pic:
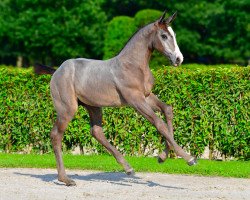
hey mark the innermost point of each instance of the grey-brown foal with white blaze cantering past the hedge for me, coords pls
(124, 80)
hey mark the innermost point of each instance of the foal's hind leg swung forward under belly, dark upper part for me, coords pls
(95, 114)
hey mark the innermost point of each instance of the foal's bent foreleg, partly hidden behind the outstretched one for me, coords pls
(158, 105)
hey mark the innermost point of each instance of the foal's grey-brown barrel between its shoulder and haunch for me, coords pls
(95, 86)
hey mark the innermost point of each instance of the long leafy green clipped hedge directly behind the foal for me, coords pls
(211, 108)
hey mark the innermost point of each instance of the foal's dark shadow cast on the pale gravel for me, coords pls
(116, 178)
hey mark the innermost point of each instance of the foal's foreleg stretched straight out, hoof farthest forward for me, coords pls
(138, 101)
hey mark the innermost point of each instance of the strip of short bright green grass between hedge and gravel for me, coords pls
(239, 169)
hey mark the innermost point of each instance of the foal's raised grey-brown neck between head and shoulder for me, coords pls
(137, 52)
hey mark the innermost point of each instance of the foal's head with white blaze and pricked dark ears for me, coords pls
(165, 40)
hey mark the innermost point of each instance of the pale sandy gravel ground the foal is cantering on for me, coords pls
(42, 184)
